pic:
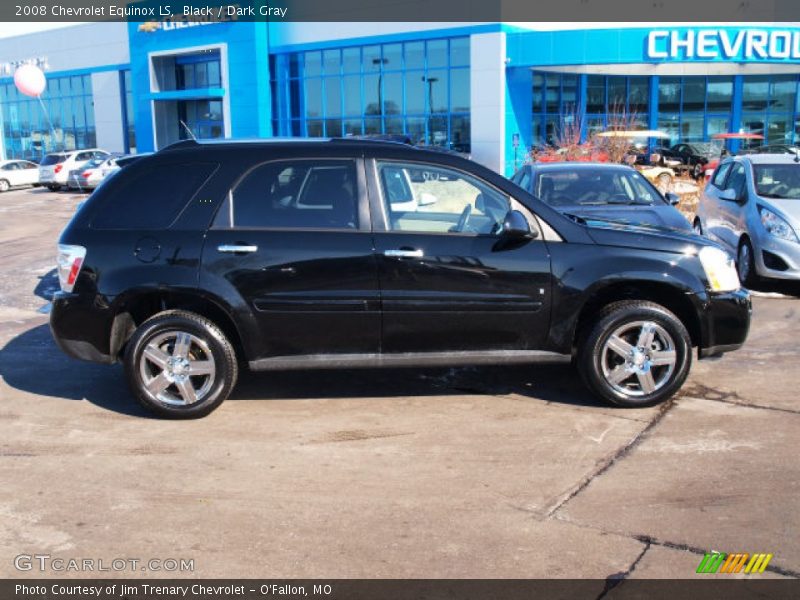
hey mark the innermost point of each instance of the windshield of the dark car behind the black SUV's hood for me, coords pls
(595, 187)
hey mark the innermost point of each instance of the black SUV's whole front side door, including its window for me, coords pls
(449, 281)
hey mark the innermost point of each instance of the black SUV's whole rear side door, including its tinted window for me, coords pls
(291, 246)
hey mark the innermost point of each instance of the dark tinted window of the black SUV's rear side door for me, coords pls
(298, 194)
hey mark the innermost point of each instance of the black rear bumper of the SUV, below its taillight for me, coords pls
(81, 328)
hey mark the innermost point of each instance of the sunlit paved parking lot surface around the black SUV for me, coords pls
(471, 472)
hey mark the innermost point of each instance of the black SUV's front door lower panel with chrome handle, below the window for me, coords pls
(463, 293)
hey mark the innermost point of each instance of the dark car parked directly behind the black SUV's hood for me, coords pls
(601, 191)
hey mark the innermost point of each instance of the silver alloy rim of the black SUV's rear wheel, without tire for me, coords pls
(177, 368)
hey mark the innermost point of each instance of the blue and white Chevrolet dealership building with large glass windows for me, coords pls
(491, 89)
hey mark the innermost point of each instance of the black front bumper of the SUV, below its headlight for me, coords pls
(725, 322)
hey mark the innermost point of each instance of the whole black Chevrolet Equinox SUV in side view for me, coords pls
(206, 257)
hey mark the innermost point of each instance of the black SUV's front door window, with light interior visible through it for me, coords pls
(433, 199)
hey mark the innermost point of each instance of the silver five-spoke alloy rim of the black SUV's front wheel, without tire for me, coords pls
(638, 358)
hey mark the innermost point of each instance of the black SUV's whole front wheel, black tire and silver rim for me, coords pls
(595, 354)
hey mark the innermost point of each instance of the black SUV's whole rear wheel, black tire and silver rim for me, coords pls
(206, 338)
